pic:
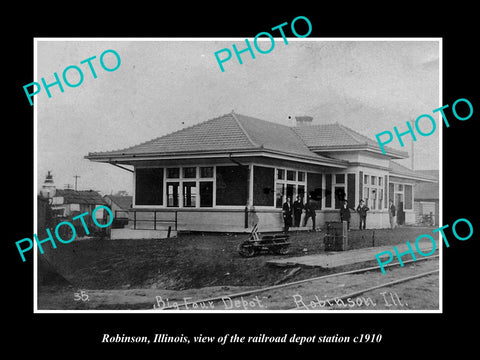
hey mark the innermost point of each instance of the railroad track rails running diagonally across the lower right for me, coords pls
(220, 299)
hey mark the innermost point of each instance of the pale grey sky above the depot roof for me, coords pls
(164, 85)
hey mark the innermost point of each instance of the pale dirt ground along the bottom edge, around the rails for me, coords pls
(418, 294)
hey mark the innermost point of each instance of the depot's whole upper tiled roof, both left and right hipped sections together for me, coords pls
(235, 132)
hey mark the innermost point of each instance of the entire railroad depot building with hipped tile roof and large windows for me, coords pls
(231, 172)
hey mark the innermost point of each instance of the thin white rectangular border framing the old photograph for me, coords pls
(340, 39)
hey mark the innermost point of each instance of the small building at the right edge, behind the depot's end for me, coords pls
(427, 203)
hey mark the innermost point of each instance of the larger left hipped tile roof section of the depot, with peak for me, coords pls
(230, 132)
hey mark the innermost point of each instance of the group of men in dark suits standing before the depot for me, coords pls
(294, 212)
